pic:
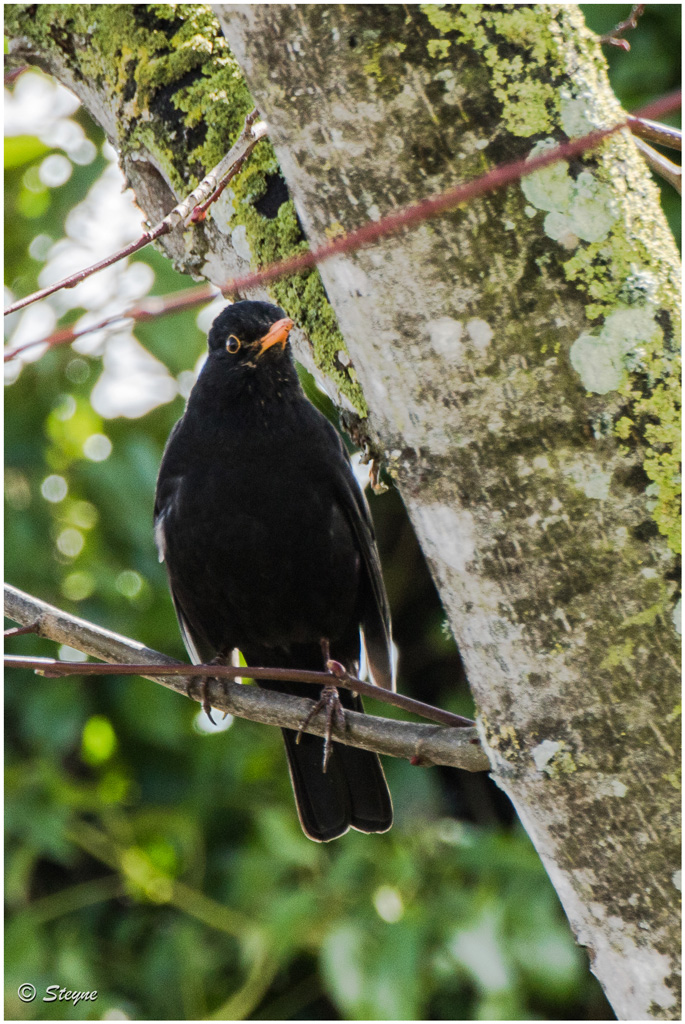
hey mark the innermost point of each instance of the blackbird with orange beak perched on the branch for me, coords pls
(271, 550)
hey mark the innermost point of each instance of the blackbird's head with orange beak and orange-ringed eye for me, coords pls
(249, 332)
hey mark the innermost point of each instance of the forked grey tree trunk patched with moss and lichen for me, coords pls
(518, 358)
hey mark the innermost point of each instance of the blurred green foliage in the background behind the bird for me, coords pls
(164, 866)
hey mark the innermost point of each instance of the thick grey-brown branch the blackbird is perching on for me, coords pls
(422, 744)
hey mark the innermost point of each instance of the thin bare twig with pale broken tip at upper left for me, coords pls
(205, 193)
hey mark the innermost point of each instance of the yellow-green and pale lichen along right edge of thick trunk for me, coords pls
(611, 237)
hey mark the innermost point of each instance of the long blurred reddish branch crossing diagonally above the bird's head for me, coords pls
(408, 218)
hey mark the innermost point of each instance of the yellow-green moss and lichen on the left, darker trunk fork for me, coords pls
(175, 100)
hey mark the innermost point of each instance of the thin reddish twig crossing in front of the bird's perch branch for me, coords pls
(52, 668)
